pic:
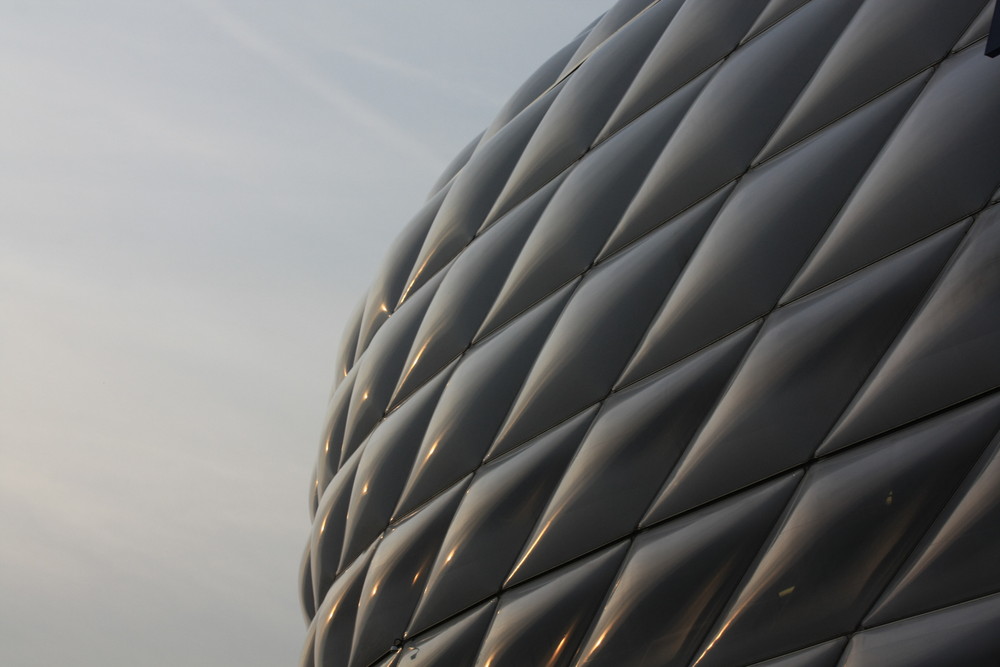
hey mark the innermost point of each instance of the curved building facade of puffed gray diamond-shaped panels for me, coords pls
(691, 358)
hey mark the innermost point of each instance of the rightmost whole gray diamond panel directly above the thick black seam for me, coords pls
(809, 360)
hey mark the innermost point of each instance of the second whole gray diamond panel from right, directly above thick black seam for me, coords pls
(638, 436)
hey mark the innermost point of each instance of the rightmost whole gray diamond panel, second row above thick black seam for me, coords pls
(765, 232)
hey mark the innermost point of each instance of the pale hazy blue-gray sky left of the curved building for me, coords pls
(195, 194)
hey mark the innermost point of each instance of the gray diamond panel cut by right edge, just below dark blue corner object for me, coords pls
(940, 166)
